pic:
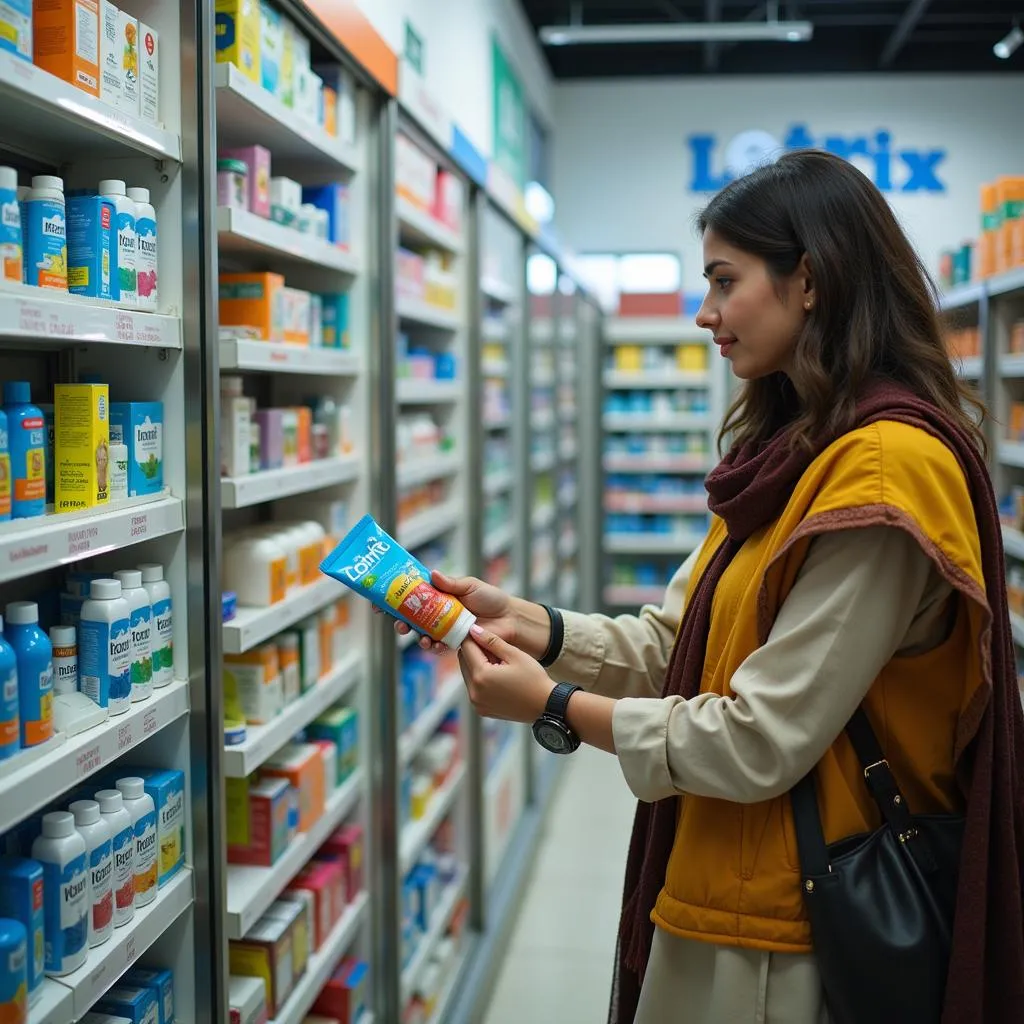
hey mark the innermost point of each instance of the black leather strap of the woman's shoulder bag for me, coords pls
(882, 786)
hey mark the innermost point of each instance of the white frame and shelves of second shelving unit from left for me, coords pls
(328, 490)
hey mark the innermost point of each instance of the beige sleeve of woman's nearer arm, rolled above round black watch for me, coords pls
(862, 596)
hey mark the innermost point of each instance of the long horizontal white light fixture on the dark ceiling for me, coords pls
(680, 32)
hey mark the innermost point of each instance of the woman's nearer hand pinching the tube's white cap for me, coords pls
(503, 681)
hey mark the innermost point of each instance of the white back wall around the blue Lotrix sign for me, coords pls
(623, 166)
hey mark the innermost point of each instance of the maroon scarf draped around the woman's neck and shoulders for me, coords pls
(749, 490)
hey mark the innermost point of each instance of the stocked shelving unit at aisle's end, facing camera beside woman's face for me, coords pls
(663, 404)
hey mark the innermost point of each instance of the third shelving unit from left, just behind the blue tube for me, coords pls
(434, 496)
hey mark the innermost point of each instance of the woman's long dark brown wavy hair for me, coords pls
(875, 306)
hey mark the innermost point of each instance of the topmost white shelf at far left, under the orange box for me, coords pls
(50, 112)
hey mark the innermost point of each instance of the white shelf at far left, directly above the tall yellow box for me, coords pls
(49, 318)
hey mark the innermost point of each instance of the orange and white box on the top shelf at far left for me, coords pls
(66, 41)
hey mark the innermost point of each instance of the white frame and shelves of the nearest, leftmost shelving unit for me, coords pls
(47, 338)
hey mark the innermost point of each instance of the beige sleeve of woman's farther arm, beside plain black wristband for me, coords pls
(627, 656)
